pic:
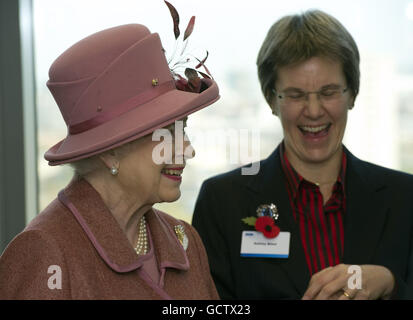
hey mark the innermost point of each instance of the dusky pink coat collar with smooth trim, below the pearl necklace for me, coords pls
(109, 240)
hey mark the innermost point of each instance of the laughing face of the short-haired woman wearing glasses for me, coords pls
(313, 127)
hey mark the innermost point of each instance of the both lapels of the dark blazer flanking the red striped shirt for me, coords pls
(364, 217)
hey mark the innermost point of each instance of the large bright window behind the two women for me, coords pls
(379, 127)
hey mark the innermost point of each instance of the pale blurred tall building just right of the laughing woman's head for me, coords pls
(373, 125)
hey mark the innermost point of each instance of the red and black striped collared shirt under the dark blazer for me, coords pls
(321, 226)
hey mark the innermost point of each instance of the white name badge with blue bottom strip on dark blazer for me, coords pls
(255, 245)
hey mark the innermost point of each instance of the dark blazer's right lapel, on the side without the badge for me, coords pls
(365, 215)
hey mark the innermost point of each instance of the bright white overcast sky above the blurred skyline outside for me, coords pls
(231, 30)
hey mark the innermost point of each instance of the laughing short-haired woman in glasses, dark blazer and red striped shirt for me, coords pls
(316, 209)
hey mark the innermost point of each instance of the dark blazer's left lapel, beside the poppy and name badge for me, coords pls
(269, 187)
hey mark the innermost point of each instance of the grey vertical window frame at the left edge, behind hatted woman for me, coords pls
(18, 135)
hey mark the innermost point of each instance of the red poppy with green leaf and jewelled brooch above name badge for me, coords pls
(267, 214)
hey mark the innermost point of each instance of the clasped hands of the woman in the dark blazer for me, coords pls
(377, 282)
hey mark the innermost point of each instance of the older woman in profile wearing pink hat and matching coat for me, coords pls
(101, 238)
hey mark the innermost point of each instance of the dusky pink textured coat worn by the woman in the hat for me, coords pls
(83, 253)
